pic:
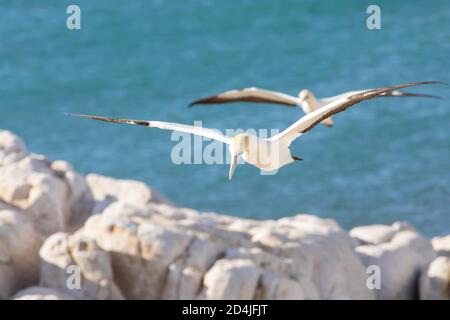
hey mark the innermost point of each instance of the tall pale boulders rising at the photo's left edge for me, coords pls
(33, 204)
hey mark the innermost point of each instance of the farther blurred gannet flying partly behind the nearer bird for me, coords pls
(305, 100)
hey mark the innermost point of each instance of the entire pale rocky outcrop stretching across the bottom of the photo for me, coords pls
(66, 236)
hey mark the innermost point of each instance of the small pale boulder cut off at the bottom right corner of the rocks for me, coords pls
(435, 281)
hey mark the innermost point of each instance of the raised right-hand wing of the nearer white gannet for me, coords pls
(340, 104)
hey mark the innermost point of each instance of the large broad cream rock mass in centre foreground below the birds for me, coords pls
(164, 252)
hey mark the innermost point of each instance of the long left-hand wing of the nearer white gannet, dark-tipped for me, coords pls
(205, 132)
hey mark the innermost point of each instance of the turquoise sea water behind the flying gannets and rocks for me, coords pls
(383, 161)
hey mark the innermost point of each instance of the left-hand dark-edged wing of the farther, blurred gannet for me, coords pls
(249, 95)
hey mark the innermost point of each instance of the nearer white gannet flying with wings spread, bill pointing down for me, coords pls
(272, 153)
